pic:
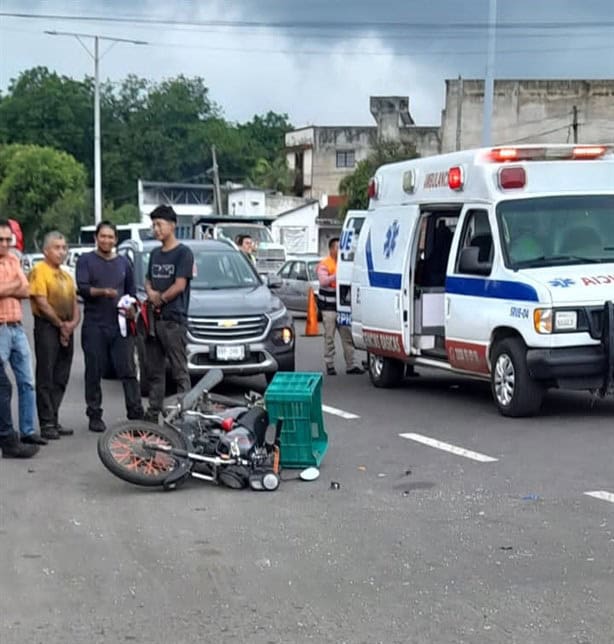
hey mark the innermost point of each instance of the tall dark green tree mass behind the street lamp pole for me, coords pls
(156, 131)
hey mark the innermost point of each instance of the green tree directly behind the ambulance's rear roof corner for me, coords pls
(354, 186)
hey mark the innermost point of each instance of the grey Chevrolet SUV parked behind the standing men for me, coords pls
(235, 322)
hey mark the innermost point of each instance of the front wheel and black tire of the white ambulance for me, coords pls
(515, 393)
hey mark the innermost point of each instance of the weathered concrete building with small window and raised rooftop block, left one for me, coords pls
(323, 155)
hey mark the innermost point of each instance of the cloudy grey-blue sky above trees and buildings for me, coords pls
(316, 60)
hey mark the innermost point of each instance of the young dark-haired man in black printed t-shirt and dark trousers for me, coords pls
(168, 290)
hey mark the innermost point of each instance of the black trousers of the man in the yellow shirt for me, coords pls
(53, 363)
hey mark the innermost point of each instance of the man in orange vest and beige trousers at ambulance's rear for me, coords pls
(327, 303)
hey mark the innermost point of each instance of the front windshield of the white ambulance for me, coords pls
(554, 231)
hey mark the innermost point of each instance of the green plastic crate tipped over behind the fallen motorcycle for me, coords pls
(296, 399)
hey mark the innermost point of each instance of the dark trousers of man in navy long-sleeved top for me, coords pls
(101, 346)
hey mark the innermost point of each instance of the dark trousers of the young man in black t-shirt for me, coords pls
(169, 343)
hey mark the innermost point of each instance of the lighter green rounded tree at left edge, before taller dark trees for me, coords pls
(34, 180)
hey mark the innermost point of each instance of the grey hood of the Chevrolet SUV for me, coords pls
(254, 300)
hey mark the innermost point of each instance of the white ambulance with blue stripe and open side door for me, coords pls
(494, 263)
